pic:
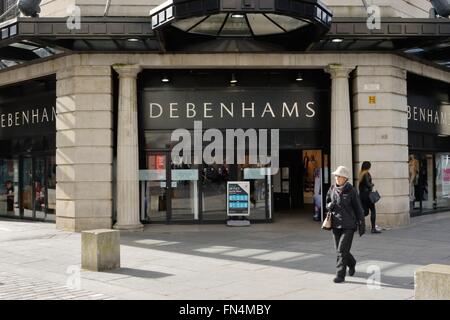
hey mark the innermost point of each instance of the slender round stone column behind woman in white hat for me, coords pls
(341, 125)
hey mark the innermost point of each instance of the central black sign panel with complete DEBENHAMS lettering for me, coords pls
(234, 109)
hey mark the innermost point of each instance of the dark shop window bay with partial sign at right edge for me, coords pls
(429, 144)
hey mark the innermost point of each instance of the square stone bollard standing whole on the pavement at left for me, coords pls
(100, 249)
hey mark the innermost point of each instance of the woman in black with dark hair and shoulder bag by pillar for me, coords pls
(365, 188)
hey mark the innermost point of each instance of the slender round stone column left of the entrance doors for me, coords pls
(127, 150)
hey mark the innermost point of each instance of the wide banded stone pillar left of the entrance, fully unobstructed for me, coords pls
(84, 148)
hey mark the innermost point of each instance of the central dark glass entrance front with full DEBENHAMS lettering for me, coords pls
(267, 105)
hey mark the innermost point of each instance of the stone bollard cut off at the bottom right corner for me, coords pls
(432, 282)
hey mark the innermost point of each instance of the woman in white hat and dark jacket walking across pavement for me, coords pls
(346, 216)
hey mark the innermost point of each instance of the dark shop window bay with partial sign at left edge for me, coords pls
(28, 147)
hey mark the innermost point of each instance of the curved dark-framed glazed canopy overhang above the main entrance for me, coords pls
(272, 21)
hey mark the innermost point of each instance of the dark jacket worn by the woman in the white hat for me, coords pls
(345, 207)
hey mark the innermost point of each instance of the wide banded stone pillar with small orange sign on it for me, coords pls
(381, 137)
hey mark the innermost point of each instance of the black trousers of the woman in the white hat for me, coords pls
(343, 239)
